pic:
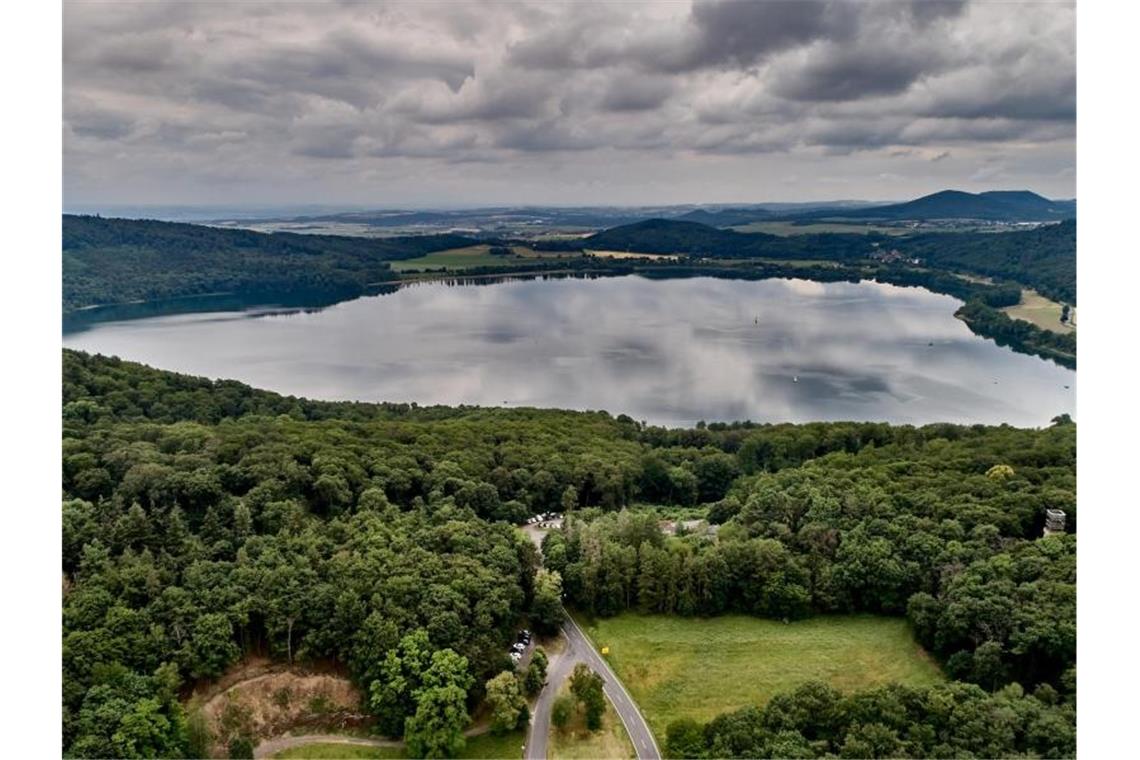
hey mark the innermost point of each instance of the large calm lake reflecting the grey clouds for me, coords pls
(671, 353)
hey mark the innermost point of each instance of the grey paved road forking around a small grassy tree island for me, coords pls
(580, 650)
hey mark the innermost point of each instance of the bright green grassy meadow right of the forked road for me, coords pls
(689, 668)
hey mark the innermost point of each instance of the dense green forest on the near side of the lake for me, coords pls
(203, 520)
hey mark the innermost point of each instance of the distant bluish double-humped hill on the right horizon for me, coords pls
(996, 206)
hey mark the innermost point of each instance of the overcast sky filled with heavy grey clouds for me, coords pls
(469, 104)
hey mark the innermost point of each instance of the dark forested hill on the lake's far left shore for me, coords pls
(115, 261)
